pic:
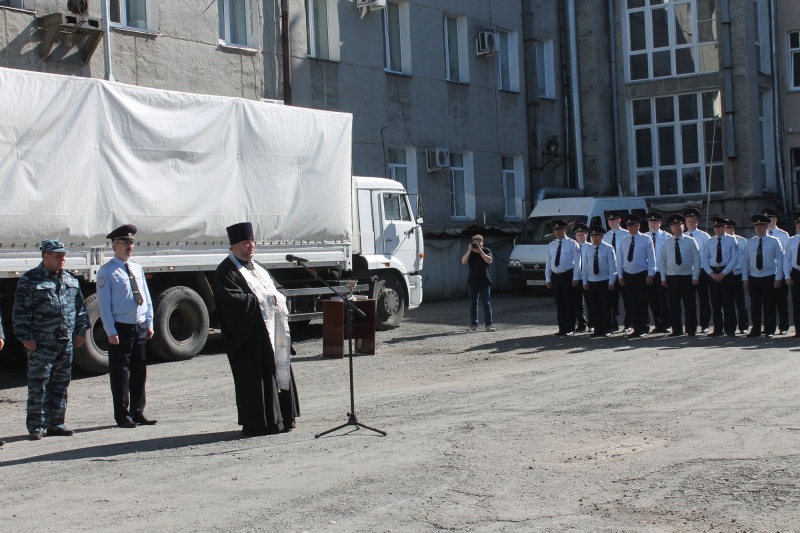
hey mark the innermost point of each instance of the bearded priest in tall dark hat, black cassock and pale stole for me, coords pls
(255, 327)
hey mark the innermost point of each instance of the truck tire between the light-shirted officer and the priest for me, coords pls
(180, 324)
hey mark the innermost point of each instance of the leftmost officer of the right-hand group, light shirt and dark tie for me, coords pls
(563, 255)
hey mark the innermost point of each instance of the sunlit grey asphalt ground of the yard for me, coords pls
(516, 430)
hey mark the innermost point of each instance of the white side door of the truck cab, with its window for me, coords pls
(399, 229)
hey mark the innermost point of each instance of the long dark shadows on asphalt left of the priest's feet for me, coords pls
(124, 448)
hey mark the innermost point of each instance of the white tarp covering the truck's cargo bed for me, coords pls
(79, 157)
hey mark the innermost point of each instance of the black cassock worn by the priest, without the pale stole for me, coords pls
(247, 343)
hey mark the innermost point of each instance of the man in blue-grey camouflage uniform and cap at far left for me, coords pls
(49, 318)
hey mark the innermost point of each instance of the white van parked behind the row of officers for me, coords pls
(528, 258)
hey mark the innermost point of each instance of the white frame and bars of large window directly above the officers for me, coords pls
(680, 166)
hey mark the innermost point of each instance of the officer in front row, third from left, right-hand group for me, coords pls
(636, 266)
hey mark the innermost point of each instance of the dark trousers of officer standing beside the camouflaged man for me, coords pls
(127, 369)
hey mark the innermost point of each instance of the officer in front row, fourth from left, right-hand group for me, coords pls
(680, 266)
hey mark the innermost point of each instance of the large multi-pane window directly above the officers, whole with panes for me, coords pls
(677, 144)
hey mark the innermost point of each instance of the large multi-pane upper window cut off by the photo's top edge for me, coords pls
(666, 39)
